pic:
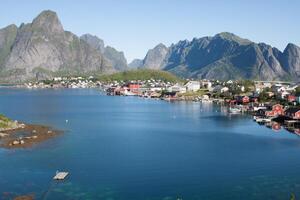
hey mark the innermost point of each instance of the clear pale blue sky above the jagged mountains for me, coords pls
(135, 26)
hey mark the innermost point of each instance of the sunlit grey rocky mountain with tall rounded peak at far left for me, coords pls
(42, 48)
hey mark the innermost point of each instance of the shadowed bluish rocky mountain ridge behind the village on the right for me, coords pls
(227, 56)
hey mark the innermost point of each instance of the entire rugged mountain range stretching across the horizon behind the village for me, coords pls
(43, 49)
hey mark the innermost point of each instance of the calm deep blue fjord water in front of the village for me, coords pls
(133, 148)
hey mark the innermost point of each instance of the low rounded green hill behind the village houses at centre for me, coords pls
(140, 74)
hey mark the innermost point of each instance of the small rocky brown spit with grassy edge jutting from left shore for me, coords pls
(14, 134)
